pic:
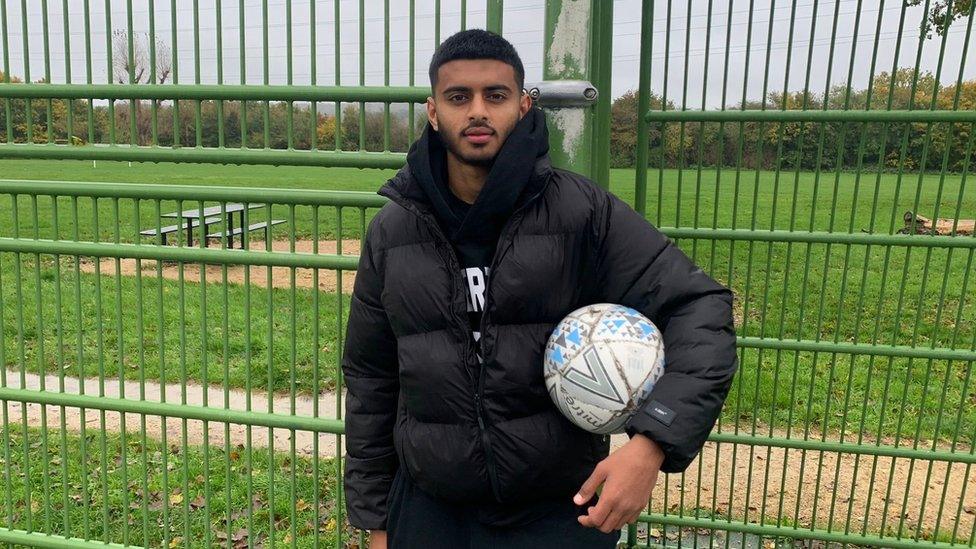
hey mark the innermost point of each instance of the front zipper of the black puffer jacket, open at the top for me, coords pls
(469, 347)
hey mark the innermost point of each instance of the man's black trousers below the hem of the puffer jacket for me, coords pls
(417, 520)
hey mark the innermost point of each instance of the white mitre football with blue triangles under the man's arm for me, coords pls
(601, 363)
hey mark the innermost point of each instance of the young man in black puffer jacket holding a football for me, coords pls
(484, 247)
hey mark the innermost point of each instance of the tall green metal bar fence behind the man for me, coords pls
(188, 395)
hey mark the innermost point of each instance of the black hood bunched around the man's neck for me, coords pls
(518, 173)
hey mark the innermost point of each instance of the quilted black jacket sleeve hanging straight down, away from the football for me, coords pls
(369, 364)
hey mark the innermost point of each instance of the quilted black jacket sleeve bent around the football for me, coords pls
(639, 267)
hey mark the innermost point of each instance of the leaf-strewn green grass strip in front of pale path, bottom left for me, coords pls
(129, 490)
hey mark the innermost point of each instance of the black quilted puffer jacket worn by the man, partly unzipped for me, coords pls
(472, 432)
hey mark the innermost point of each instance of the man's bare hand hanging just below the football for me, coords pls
(628, 475)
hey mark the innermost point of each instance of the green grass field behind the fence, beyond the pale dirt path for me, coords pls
(852, 294)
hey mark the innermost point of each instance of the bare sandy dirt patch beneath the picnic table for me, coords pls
(280, 276)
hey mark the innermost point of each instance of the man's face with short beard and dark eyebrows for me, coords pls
(475, 106)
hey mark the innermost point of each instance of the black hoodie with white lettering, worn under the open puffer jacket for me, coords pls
(473, 229)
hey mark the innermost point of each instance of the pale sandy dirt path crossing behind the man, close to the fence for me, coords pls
(727, 482)
